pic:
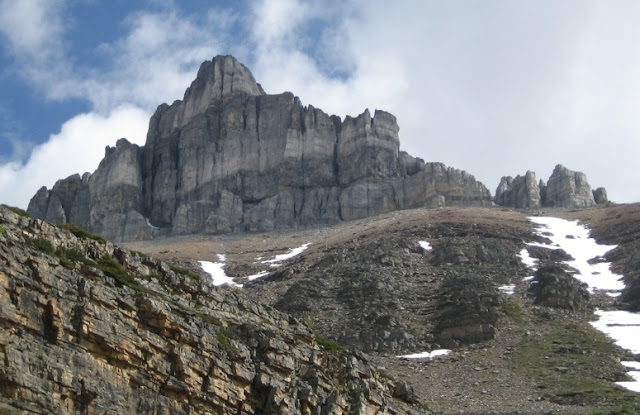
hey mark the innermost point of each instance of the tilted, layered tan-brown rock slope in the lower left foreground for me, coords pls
(89, 328)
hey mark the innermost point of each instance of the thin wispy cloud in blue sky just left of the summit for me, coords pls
(154, 62)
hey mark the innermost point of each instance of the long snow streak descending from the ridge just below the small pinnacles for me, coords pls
(574, 239)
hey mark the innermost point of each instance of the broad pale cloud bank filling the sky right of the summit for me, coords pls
(495, 89)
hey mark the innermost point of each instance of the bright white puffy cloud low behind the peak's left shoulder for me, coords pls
(77, 148)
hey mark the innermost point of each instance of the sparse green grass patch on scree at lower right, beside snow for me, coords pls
(571, 365)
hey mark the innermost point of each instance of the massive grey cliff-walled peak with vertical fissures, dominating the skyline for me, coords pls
(229, 157)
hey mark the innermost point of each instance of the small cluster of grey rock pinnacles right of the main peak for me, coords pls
(565, 188)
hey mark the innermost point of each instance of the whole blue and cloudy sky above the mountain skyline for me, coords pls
(493, 87)
